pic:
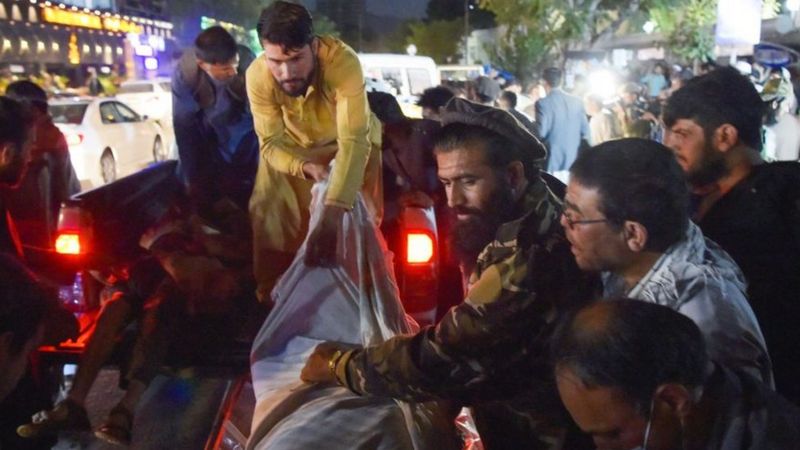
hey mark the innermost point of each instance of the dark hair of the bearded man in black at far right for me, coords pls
(716, 98)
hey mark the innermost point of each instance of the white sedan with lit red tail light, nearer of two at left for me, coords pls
(107, 139)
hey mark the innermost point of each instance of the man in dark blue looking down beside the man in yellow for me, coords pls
(217, 145)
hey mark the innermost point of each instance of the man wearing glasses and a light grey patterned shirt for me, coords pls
(626, 216)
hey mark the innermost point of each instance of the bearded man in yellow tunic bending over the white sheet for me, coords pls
(309, 107)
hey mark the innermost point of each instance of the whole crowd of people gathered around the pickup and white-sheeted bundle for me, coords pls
(647, 301)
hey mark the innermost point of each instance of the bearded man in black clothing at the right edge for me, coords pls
(752, 209)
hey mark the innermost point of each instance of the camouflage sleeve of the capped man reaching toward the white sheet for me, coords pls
(474, 340)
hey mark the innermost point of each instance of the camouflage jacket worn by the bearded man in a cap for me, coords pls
(490, 352)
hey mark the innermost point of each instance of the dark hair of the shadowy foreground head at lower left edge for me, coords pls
(25, 302)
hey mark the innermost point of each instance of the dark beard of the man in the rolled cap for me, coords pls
(470, 236)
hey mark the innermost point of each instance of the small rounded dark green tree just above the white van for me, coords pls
(439, 39)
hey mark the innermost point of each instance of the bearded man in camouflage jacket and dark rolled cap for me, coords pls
(489, 352)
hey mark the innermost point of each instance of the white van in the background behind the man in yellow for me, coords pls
(403, 76)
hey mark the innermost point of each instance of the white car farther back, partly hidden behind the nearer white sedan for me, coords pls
(152, 98)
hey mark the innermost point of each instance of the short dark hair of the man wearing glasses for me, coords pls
(639, 180)
